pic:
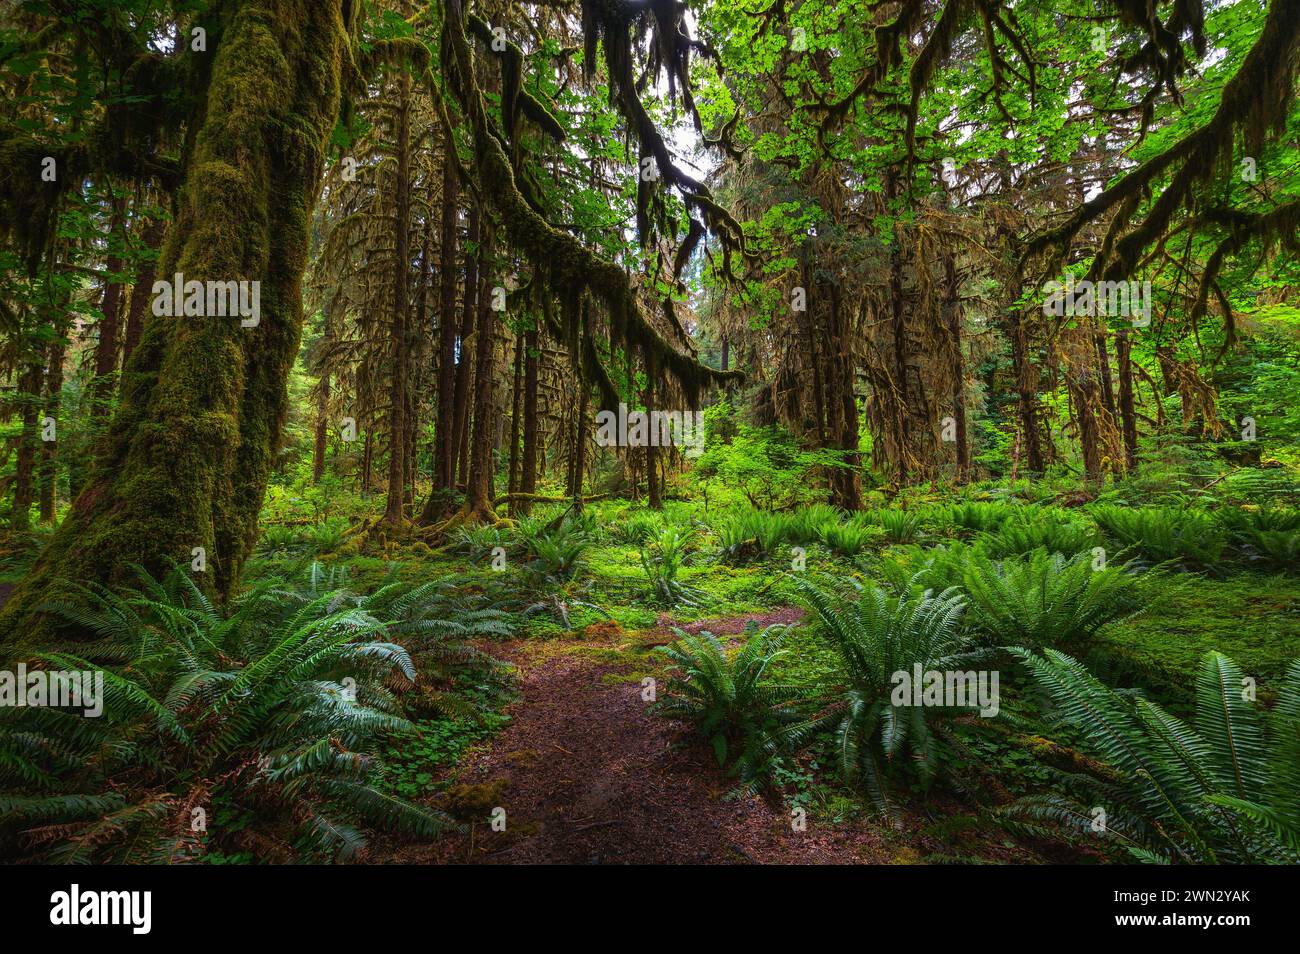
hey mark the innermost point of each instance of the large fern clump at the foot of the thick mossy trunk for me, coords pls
(272, 713)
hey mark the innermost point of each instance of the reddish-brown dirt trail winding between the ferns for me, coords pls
(587, 775)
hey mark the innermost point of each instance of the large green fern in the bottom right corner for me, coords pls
(1224, 790)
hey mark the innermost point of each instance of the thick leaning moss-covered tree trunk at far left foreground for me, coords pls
(187, 461)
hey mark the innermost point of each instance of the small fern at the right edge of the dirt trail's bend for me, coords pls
(727, 699)
